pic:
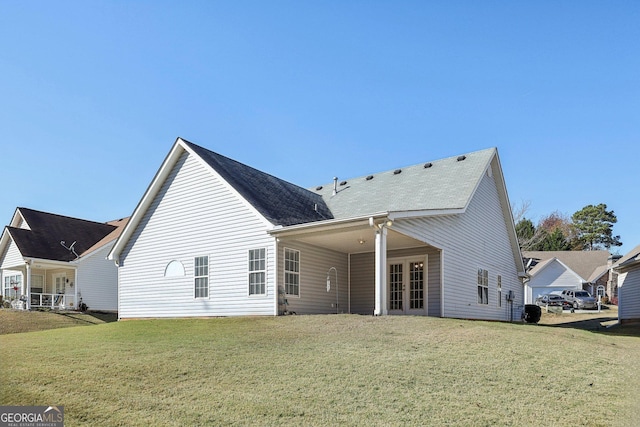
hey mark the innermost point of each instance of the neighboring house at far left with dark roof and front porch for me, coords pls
(54, 261)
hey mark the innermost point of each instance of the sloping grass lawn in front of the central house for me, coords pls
(326, 370)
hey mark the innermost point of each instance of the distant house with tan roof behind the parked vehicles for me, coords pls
(553, 271)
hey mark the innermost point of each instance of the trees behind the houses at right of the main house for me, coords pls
(590, 228)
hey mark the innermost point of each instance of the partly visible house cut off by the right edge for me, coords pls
(628, 269)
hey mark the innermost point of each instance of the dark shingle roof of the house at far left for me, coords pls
(47, 231)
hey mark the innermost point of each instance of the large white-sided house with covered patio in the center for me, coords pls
(214, 237)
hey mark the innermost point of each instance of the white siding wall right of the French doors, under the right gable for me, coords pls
(476, 237)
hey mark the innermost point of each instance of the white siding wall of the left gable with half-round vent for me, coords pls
(194, 213)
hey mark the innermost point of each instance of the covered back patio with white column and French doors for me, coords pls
(368, 264)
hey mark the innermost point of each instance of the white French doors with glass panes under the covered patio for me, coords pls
(407, 284)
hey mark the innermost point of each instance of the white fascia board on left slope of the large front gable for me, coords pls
(144, 203)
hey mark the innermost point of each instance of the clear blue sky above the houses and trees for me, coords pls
(94, 94)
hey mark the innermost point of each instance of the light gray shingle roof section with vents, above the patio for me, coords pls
(435, 185)
